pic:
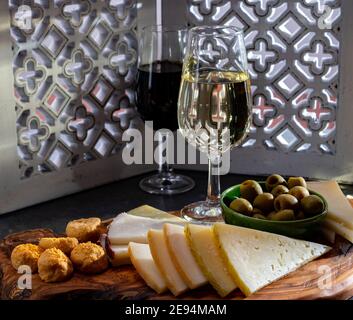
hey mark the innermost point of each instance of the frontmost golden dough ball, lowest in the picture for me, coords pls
(54, 266)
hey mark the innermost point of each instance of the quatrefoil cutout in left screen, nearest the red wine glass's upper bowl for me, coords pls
(123, 58)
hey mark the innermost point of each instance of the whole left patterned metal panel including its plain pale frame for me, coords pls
(68, 70)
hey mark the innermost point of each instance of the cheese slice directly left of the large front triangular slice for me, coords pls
(207, 254)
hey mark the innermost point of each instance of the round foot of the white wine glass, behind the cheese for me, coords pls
(202, 212)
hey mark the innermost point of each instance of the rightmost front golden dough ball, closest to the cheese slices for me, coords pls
(89, 258)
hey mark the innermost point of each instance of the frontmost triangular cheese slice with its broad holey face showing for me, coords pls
(256, 258)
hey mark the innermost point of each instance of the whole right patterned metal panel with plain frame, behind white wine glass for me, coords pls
(297, 53)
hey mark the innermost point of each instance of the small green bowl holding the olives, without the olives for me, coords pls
(296, 229)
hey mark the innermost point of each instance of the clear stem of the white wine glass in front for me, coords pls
(214, 186)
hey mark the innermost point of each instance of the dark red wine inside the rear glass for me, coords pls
(157, 93)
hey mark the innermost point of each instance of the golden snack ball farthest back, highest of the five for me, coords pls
(84, 229)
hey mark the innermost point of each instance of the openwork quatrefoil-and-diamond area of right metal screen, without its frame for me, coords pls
(293, 52)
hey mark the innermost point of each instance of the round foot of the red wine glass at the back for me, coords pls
(167, 184)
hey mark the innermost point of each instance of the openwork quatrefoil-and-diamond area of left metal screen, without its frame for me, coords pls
(74, 66)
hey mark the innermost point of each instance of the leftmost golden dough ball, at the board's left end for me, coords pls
(26, 254)
